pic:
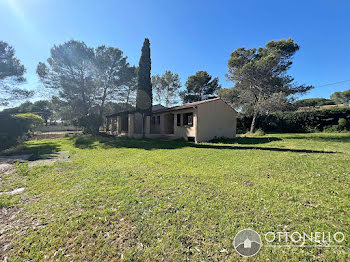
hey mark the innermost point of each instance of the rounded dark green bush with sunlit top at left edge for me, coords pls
(17, 128)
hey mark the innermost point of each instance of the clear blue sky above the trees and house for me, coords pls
(187, 36)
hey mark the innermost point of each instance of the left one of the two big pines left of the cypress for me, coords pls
(70, 73)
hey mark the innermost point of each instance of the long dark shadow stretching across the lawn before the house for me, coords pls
(90, 142)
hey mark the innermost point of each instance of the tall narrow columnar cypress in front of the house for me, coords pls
(144, 85)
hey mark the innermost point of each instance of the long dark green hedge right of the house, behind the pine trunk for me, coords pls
(299, 121)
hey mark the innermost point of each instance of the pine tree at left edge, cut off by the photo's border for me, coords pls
(11, 75)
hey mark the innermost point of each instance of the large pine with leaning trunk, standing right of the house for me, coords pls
(261, 79)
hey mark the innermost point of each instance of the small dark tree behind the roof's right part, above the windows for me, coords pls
(200, 87)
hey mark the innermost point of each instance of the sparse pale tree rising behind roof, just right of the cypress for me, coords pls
(166, 88)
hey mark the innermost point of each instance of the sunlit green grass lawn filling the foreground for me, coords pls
(149, 200)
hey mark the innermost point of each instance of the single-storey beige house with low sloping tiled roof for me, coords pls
(198, 122)
